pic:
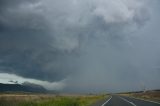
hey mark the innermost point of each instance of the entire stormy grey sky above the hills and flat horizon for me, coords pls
(81, 45)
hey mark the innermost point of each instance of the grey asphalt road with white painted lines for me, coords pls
(125, 101)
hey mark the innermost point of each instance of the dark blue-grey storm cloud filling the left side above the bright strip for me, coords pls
(25, 45)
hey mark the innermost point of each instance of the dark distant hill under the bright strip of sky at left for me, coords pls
(25, 87)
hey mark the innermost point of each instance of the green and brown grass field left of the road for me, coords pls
(48, 100)
